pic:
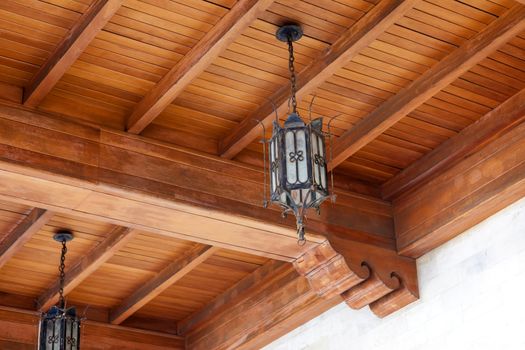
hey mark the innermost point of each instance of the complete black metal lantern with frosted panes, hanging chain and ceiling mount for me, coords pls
(297, 154)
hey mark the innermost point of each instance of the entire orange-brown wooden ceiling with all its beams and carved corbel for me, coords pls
(134, 124)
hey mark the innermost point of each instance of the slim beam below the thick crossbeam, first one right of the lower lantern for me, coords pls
(162, 281)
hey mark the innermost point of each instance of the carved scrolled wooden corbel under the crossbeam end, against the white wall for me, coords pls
(362, 274)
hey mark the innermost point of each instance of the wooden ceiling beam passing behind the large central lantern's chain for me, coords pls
(358, 37)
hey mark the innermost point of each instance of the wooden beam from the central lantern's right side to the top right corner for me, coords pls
(431, 82)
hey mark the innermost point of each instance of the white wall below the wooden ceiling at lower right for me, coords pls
(472, 297)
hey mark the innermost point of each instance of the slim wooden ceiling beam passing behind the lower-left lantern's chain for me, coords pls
(116, 239)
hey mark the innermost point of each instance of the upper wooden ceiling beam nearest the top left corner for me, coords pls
(69, 49)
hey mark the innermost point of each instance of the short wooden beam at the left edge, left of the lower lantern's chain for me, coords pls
(22, 233)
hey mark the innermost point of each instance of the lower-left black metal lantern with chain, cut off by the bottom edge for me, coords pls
(60, 326)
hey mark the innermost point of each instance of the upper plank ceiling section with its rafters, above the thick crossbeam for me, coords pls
(214, 71)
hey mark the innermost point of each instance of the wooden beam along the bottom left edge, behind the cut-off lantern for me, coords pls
(19, 329)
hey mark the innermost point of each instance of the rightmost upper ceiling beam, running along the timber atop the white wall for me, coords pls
(474, 137)
